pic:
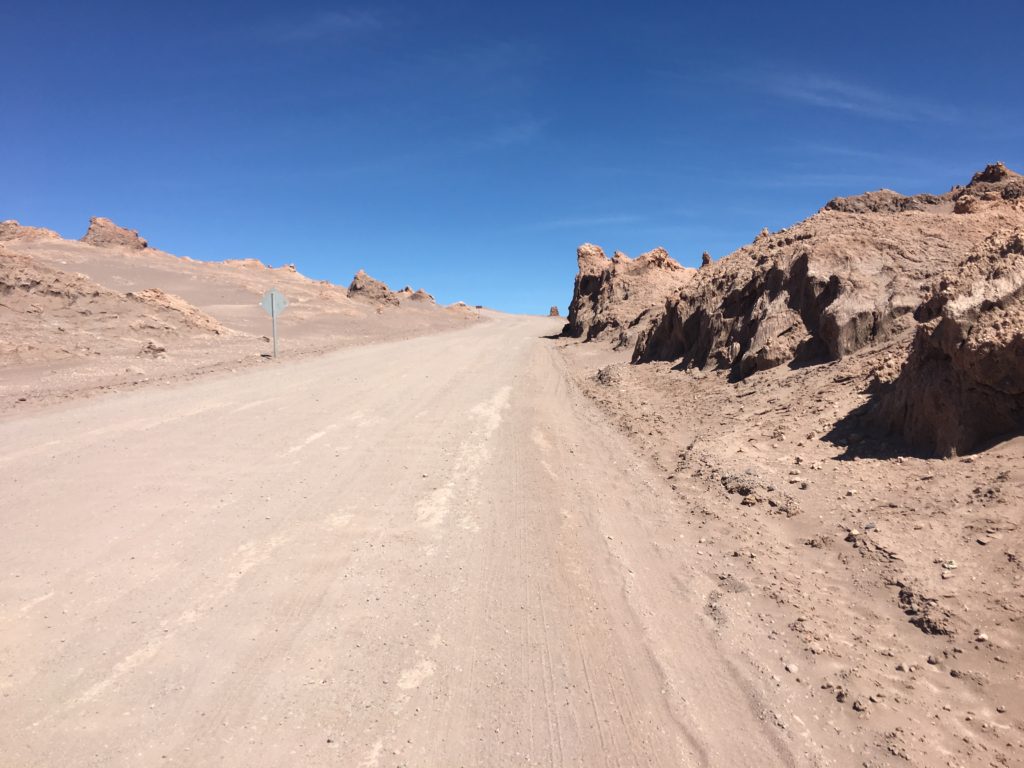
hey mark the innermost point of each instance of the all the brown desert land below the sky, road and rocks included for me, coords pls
(766, 513)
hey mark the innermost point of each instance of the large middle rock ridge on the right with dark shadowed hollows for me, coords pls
(850, 276)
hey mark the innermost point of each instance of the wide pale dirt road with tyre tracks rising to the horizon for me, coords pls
(420, 553)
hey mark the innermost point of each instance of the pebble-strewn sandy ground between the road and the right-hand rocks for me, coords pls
(879, 594)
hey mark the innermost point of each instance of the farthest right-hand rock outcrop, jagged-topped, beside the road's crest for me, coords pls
(611, 295)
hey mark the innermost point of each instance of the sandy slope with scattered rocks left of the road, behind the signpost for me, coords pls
(78, 320)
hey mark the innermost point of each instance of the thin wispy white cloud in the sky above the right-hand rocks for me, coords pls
(833, 94)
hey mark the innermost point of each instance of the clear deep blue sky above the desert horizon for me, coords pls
(470, 148)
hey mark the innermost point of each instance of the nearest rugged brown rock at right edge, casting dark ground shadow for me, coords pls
(964, 380)
